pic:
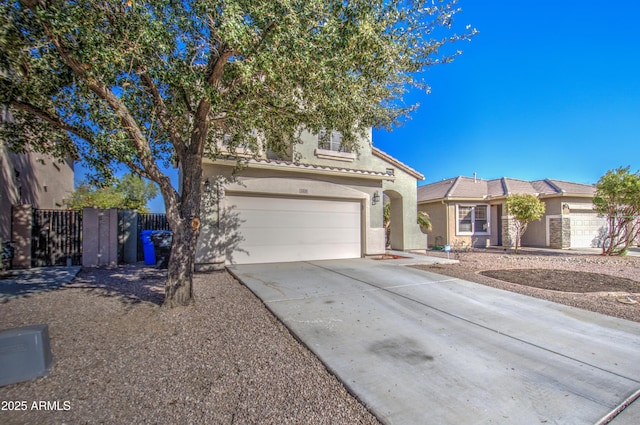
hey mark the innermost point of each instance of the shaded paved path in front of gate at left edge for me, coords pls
(20, 283)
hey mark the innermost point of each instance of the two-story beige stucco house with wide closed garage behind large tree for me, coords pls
(317, 203)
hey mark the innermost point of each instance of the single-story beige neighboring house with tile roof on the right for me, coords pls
(466, 210)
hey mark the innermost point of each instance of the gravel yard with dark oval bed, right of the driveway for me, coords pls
(606, 285)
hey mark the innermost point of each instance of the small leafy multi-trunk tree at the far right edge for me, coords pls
(618, 200)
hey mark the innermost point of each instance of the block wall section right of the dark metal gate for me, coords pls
(99, 237)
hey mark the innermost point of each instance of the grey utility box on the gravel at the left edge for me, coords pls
(25, 354)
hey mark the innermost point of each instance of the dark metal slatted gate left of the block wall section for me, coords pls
(56, 238)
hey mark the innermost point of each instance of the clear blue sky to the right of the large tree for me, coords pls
(547, 89)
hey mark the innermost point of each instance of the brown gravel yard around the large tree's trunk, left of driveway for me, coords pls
(121, 358)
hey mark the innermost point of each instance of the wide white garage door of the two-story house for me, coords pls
(275, 229)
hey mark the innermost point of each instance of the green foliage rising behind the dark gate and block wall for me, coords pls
(129, 193)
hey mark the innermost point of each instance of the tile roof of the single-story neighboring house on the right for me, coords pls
(467, 187)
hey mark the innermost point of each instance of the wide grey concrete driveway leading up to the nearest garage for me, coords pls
(420, 348)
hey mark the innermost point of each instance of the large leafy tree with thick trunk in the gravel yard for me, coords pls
(144, 83)
